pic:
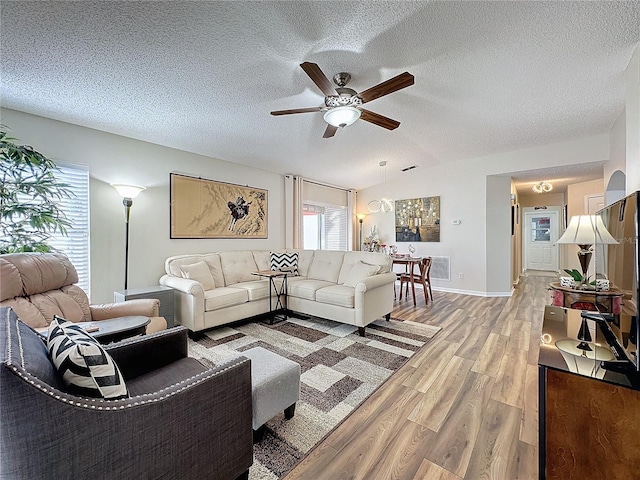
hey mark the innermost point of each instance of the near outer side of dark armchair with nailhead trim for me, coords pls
(200, 427)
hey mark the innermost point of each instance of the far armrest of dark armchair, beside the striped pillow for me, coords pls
(143, 354)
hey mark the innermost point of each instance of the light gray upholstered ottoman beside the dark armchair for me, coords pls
(275, 387)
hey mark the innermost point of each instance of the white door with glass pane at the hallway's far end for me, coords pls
(541, 234)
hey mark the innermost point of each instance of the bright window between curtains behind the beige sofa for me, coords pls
(324, 226)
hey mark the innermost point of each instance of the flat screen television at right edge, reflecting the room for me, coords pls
(619, 263)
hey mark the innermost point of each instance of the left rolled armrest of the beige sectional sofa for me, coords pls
(189, 301)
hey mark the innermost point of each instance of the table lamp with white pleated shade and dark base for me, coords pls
(584, 231)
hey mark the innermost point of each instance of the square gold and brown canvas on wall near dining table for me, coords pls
(418, 220)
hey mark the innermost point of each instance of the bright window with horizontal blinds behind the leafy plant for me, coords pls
(76, 244)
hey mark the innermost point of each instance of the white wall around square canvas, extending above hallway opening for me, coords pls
(462, 187)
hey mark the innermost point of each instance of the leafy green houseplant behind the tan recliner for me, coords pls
(29, 198)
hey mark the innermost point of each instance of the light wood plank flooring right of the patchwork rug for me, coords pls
(464, 407)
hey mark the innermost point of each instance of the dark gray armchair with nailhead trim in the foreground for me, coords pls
(183, 420)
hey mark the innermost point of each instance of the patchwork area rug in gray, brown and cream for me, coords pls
(340, 369)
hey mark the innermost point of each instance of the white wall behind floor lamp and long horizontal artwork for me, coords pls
(116, 159)
